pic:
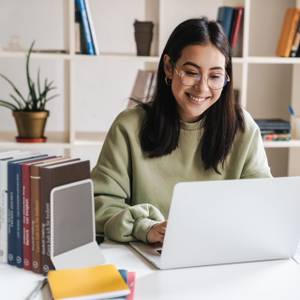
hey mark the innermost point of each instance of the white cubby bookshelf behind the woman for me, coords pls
(94, 89)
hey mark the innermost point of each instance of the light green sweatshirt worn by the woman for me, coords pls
(133, 192)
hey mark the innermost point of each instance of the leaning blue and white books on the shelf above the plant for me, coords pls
(85, 35)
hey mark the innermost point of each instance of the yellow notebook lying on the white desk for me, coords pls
(99, 282)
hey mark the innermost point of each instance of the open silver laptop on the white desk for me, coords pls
(229, 221)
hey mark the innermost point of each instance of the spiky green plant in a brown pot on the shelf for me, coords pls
(30, 112)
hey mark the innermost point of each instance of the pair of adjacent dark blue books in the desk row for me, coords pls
(15, 210)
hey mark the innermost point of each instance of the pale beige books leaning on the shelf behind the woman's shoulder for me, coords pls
(144, 87)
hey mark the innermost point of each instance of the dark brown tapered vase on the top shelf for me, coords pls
(143, 33)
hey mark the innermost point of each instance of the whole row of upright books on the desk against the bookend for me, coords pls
(26, 182)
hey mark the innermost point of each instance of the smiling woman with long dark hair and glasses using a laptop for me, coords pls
(192, 130)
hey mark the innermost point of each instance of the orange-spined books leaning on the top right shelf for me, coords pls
(289, 41)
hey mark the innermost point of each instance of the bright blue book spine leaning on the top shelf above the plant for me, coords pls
(84, 21)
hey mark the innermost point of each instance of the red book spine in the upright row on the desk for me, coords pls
(27, 253)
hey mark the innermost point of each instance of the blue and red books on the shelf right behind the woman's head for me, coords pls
(231, 19)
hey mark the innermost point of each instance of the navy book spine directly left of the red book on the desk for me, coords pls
(19, 216)
